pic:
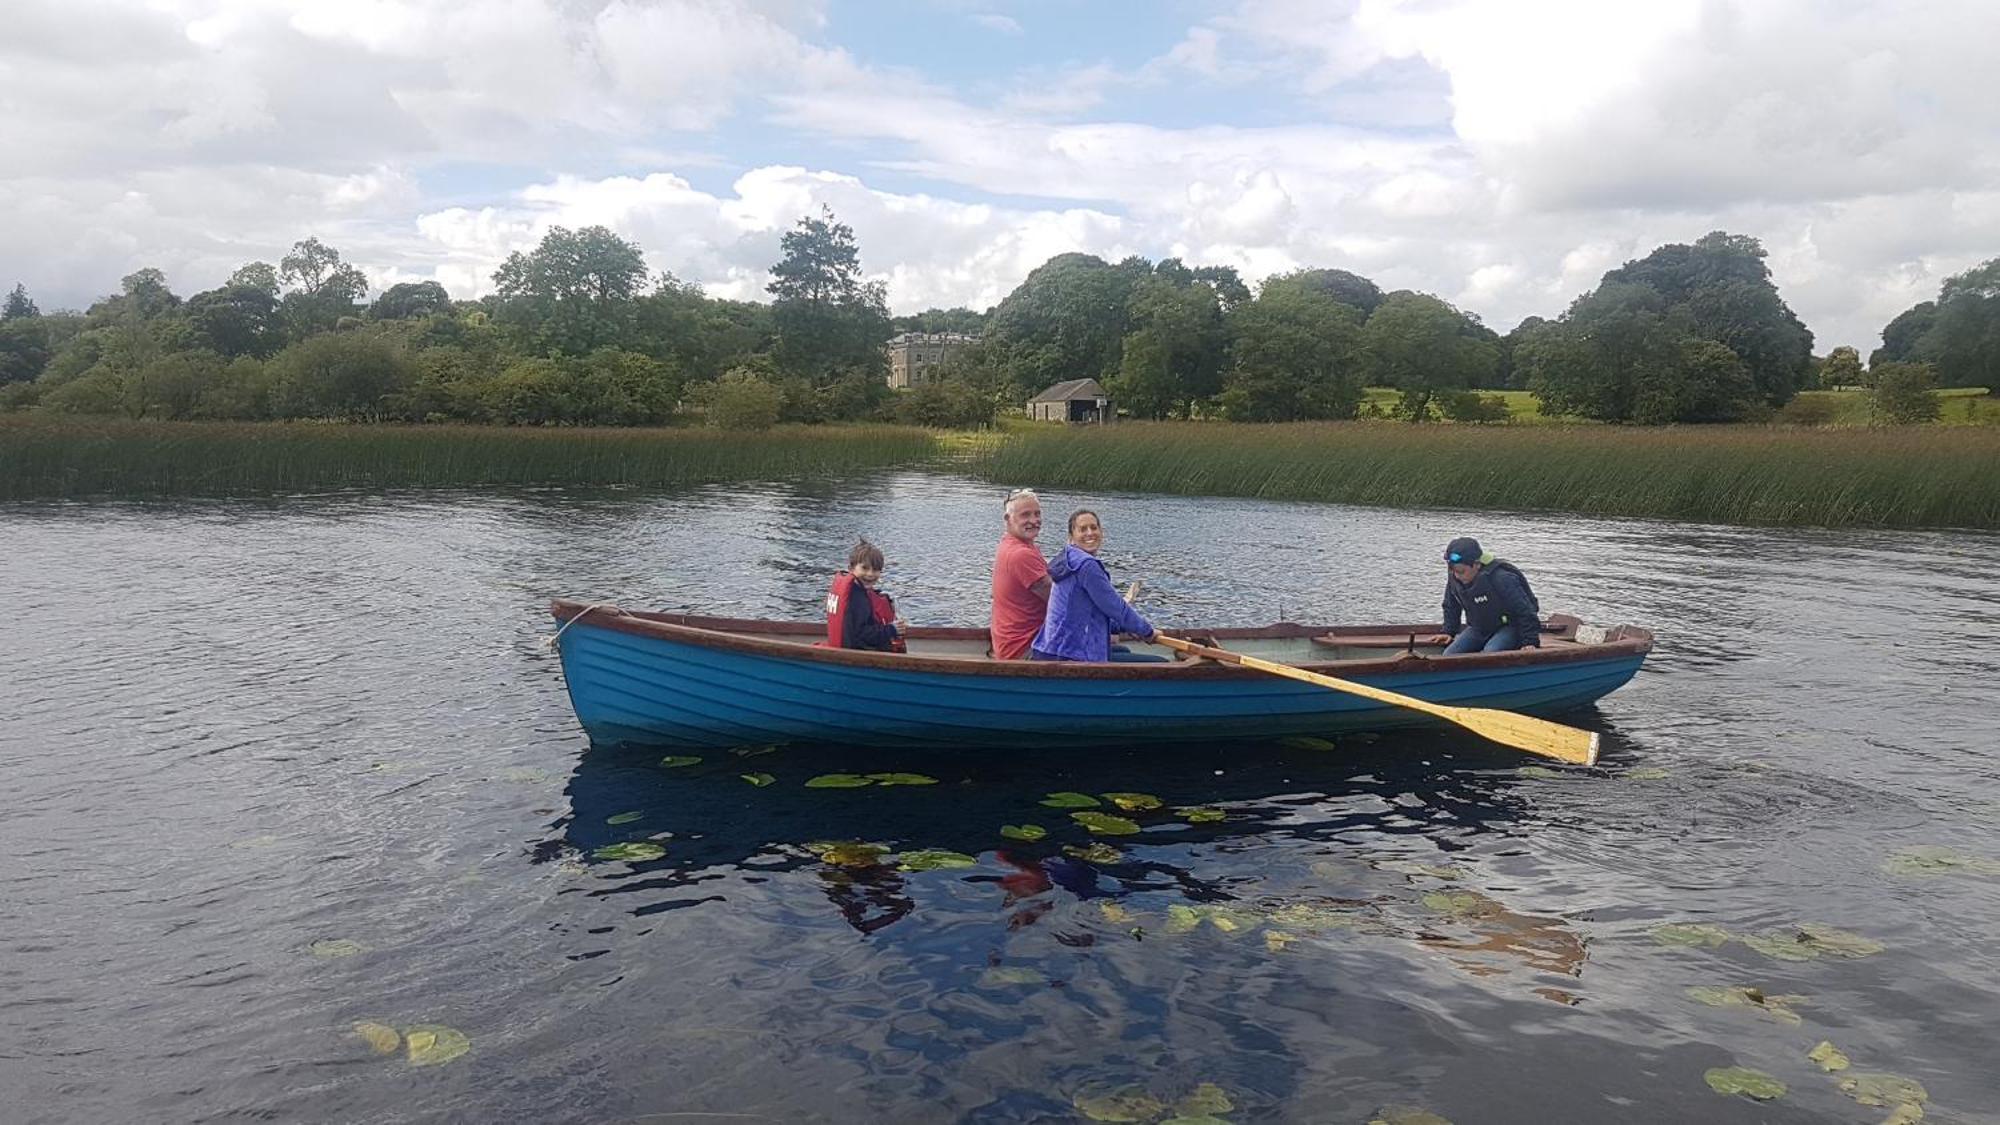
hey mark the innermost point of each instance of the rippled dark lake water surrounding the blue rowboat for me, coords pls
(281, 768)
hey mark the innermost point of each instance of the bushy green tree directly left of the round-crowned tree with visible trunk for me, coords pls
(1297, 355)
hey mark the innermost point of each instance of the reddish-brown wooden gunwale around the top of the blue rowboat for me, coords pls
(729, 634)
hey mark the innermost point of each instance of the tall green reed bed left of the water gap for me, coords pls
(45, 455)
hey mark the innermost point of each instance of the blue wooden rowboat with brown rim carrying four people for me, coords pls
(707, 682)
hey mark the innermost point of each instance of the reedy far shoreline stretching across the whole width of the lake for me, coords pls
(1907, 477)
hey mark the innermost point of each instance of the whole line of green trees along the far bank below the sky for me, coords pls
(579, 333)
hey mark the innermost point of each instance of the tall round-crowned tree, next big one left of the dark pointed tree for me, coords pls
(575, 293)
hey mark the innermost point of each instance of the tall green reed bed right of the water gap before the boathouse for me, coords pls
(1749, 475)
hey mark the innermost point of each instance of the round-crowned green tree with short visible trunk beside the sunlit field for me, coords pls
(1421, 345)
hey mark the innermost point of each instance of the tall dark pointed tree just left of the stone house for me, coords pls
(829, 321)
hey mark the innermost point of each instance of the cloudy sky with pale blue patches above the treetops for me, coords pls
(1497, 153)
